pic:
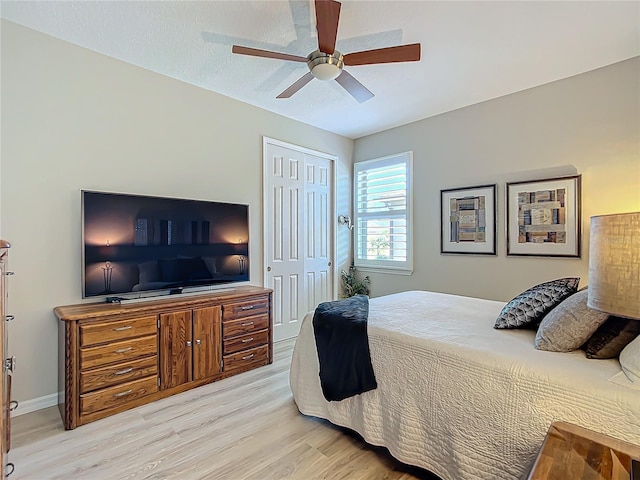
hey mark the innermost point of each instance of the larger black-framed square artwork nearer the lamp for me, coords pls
(544, 217)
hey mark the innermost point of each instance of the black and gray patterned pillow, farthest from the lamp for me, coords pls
(527, 309)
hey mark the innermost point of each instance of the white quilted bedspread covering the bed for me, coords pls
(460, 398)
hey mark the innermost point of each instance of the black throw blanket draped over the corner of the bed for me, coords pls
(340, 330)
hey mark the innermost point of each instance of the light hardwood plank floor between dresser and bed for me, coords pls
(243, 427)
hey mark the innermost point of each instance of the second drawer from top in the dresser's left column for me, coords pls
(118, 352)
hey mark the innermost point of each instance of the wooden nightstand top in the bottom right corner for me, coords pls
(570, 452)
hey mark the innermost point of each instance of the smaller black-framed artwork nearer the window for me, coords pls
(468, 220)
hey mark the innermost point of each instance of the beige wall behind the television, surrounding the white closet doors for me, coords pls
(73, 119)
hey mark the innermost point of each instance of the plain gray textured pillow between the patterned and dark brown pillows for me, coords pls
(569, 325)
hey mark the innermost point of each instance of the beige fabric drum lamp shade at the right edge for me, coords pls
(614, 264)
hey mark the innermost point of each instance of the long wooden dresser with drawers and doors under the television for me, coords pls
(119, 356)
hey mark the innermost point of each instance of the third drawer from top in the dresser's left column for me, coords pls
(119, 373)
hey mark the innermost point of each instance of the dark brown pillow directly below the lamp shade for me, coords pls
(611, 337)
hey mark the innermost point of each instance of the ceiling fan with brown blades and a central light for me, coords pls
(327, 63)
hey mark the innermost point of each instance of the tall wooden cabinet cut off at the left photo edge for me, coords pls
(6, 468)
